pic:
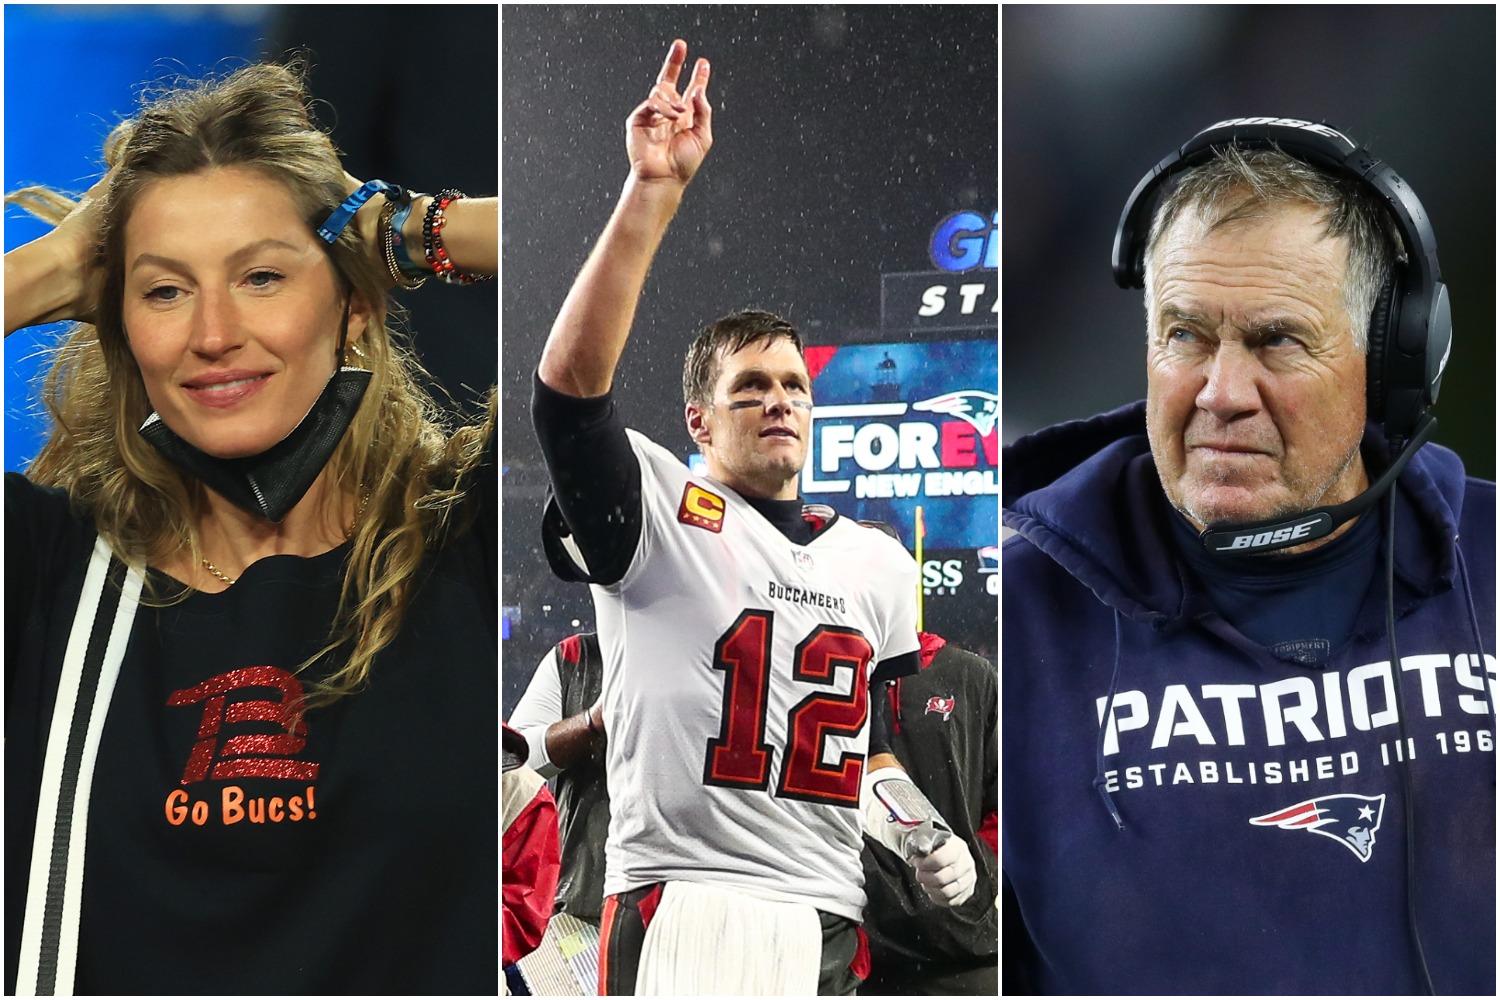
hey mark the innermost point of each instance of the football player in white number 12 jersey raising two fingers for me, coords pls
(740, 630)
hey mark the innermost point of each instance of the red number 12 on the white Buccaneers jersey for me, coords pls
(740, 758)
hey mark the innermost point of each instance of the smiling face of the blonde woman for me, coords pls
(232, 308)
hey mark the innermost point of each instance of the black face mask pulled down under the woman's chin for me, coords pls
(271, 484)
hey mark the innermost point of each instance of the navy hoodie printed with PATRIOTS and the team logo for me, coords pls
(1241, 824)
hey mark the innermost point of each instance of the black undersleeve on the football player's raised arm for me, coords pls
(596, 485)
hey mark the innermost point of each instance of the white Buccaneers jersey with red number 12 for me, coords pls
(737, 692)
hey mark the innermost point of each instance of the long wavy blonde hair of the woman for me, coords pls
(401, 455)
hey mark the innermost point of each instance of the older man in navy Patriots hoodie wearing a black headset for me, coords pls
(1214, 779)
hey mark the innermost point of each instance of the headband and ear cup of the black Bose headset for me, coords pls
(1411, 329)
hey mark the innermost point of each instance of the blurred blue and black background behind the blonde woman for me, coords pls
(73, 73)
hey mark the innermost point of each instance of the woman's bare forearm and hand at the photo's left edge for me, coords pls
(56, 277)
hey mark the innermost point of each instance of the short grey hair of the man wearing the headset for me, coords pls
(1238, 182)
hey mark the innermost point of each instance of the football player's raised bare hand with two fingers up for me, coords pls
(670, 133)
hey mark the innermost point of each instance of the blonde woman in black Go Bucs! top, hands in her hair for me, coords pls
(251, 636)
